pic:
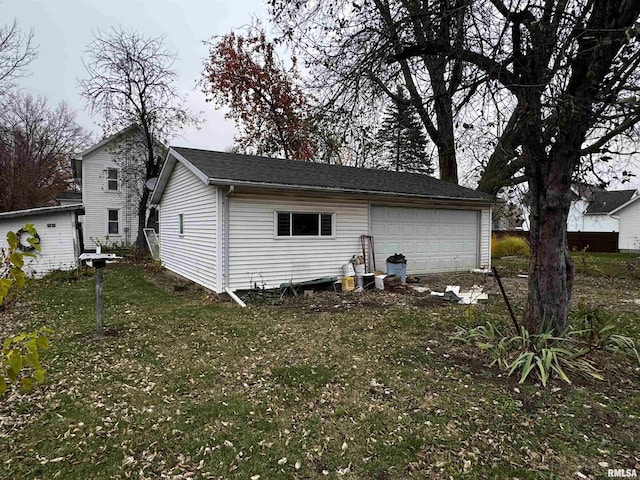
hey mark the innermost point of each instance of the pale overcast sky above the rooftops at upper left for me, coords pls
(63, 29)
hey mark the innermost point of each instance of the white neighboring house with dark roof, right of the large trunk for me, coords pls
(590, 211)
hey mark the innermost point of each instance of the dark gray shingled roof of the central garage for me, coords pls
(235, 168)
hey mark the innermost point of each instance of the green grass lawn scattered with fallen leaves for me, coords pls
(333, 386)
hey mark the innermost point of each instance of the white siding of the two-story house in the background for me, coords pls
(97, 199)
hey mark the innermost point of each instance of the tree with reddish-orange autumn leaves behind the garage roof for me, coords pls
(271, 113)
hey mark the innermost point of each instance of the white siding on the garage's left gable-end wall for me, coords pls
(193, 254)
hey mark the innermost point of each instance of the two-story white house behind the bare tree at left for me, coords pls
(110, 194)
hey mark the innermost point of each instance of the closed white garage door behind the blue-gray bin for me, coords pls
(433, 240)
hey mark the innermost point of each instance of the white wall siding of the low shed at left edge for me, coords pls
(58, 241)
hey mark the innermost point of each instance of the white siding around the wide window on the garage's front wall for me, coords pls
(256, 256)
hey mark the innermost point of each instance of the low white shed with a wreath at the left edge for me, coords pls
(57, 228)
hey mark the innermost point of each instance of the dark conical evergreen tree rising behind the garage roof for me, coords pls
(402, 141)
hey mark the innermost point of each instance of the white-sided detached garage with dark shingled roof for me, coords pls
(234, 221)
